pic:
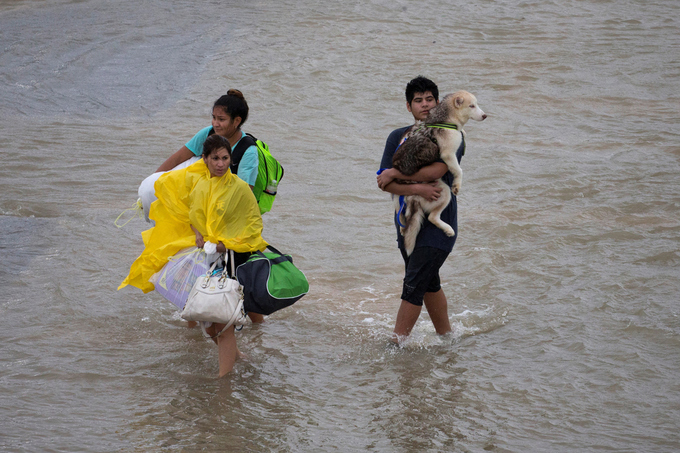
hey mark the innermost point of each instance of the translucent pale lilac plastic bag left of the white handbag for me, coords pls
(175, 280)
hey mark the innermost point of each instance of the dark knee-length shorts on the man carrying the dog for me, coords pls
(422, 273)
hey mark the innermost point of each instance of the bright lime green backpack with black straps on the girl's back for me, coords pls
(269, 172)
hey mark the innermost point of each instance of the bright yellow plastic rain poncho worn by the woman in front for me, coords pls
(222, 209)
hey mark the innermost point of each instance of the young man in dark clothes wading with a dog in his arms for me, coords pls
(421, 278)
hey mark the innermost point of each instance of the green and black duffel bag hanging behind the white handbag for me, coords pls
(270, 282)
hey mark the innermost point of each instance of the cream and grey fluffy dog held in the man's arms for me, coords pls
(440, 135)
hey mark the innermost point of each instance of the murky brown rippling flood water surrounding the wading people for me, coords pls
(563, 286)
